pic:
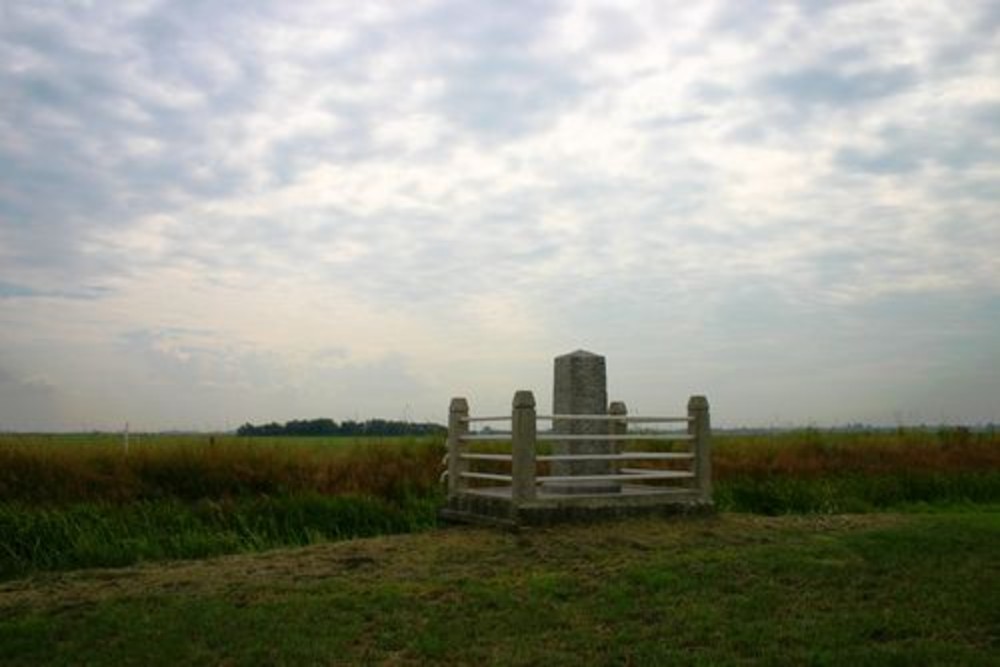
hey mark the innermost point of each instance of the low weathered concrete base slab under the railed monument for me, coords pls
(493, 506)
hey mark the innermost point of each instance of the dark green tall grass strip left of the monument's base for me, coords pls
(102, 535)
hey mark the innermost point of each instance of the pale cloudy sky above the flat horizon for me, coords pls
(230, 211)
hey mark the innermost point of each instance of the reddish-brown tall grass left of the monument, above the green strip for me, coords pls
(42, 471)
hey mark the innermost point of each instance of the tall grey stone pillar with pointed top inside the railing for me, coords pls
(580, 388)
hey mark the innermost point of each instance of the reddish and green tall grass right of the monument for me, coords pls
(832, 472)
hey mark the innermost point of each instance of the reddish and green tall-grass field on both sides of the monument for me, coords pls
(82, 501)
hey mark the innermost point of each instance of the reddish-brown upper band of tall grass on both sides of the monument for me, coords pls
(84, 468)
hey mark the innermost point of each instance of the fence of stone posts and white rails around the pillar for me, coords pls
(577, 471)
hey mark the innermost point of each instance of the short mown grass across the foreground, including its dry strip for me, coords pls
(735, 589)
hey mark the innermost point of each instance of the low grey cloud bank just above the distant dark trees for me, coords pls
(184, 376)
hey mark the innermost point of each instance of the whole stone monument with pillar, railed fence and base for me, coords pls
(595, 479)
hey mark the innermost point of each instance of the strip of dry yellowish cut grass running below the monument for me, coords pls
(448, 553)
